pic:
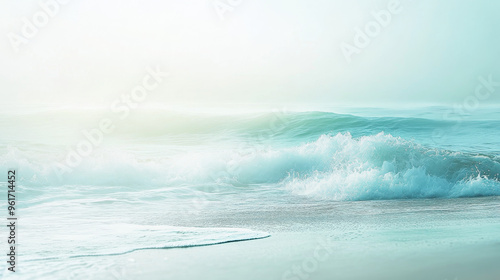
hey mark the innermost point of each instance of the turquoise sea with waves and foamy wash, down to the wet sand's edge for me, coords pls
(156, 180)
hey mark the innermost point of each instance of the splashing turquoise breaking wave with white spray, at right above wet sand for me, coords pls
(387, 167)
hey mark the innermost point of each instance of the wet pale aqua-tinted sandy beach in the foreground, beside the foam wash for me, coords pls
(406, 239)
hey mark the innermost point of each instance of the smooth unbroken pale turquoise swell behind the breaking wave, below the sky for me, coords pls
(290, 125)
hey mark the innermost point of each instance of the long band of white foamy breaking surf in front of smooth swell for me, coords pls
(339, 167)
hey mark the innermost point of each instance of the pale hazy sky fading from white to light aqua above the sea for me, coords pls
(91, 52)
